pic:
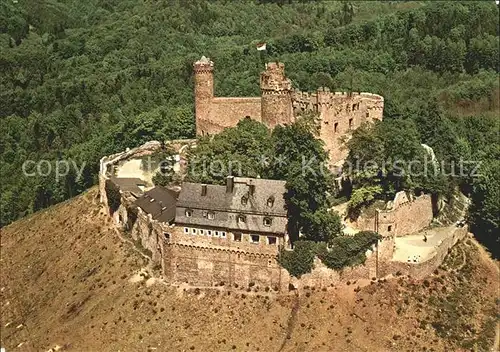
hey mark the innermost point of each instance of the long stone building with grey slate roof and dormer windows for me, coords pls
(229, 233)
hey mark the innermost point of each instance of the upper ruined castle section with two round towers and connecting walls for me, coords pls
(279, 104)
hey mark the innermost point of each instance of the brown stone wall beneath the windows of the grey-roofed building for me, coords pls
(206, 261)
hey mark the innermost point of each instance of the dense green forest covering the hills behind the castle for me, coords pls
(83, 79)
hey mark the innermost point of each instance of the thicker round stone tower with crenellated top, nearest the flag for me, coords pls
(276, 90)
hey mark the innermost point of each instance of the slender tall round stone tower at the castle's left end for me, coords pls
(203, 92)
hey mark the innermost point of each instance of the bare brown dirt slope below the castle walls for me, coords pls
(67, 280)
